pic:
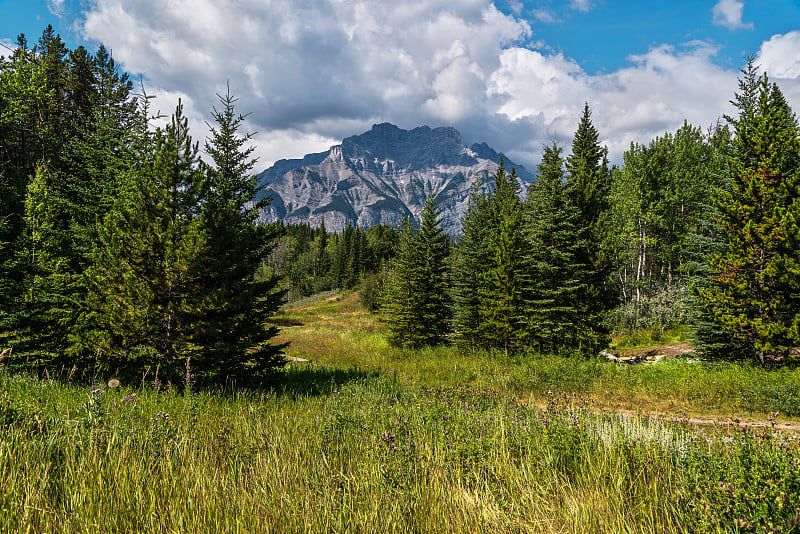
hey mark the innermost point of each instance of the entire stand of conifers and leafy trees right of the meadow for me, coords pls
(697, 229)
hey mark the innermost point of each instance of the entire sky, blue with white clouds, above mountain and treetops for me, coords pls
(512, 73)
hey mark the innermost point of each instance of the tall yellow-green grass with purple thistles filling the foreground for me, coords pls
(366, 453)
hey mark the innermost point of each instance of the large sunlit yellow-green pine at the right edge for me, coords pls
(757, 278)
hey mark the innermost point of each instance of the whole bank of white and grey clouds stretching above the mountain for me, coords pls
(314, 71)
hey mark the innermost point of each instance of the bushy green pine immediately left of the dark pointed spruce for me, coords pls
(147, 291)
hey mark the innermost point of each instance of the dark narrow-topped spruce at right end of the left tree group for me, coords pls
(234, 332)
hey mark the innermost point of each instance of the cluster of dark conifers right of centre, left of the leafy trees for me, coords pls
(526, 274)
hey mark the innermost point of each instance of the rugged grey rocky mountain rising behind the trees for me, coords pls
(380, 177)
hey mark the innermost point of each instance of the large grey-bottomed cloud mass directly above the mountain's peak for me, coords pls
(299, 66)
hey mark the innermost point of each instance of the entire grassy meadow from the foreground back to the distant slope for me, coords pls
(367, 438)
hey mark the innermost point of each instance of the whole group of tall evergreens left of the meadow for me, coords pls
(121, 252)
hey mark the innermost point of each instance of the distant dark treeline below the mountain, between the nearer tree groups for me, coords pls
(310, 260)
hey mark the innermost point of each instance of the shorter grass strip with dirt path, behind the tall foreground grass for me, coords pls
(338, 333)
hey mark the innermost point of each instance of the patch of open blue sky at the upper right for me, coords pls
(601, 37)
